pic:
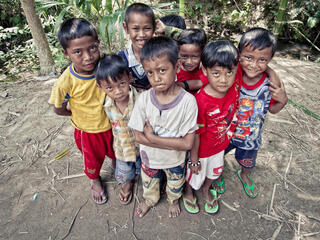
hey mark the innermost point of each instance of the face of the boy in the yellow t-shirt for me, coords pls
(84, 54)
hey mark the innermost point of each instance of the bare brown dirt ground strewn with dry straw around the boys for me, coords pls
(38, 201)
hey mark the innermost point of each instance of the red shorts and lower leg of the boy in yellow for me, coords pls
(93, 149)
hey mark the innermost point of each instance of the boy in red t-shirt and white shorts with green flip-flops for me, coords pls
(217, 104)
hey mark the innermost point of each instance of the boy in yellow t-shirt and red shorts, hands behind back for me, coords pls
(77, 87)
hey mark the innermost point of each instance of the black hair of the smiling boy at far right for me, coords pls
(258, 38)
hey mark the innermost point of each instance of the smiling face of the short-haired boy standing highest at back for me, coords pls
(140, 30)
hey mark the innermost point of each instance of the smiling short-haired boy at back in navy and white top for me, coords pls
(139, 24)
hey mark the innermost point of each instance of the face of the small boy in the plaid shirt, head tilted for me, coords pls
(117, 91)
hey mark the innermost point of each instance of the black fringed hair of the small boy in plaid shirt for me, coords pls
(110, 66)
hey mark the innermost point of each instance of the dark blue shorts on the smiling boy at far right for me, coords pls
(246, 158)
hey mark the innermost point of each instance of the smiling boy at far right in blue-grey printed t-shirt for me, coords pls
(258, 95)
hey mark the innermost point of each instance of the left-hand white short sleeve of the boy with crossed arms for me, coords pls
(138, 115)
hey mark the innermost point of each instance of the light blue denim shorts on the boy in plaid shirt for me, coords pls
(126, 171)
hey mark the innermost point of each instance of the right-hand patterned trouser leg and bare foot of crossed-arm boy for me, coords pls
(175, 181)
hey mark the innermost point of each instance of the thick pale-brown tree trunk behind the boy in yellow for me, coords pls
(39, 38)
